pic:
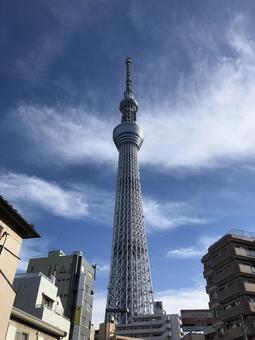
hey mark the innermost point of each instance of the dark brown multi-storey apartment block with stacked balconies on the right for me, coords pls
(229, 269)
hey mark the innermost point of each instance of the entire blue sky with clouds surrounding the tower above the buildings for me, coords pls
(62, 78)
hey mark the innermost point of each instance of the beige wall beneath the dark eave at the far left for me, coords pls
(9, 260)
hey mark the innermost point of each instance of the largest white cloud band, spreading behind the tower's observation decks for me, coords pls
(210, 122)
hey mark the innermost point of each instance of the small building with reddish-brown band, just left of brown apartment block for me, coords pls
(196, 320)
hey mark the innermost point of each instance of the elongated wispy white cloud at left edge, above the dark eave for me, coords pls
(32, 191)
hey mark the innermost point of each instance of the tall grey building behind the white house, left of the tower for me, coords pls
(74, 277)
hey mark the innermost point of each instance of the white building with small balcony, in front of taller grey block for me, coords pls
(37, 295)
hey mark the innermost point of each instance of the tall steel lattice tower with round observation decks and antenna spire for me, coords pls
(130, 288)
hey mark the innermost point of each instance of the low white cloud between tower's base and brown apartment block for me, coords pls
(184, 298)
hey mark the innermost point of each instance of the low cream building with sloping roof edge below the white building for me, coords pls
(24, 326)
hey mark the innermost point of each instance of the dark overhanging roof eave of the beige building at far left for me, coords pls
(13, 219)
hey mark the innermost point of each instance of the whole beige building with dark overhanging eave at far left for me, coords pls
(13, 229)
